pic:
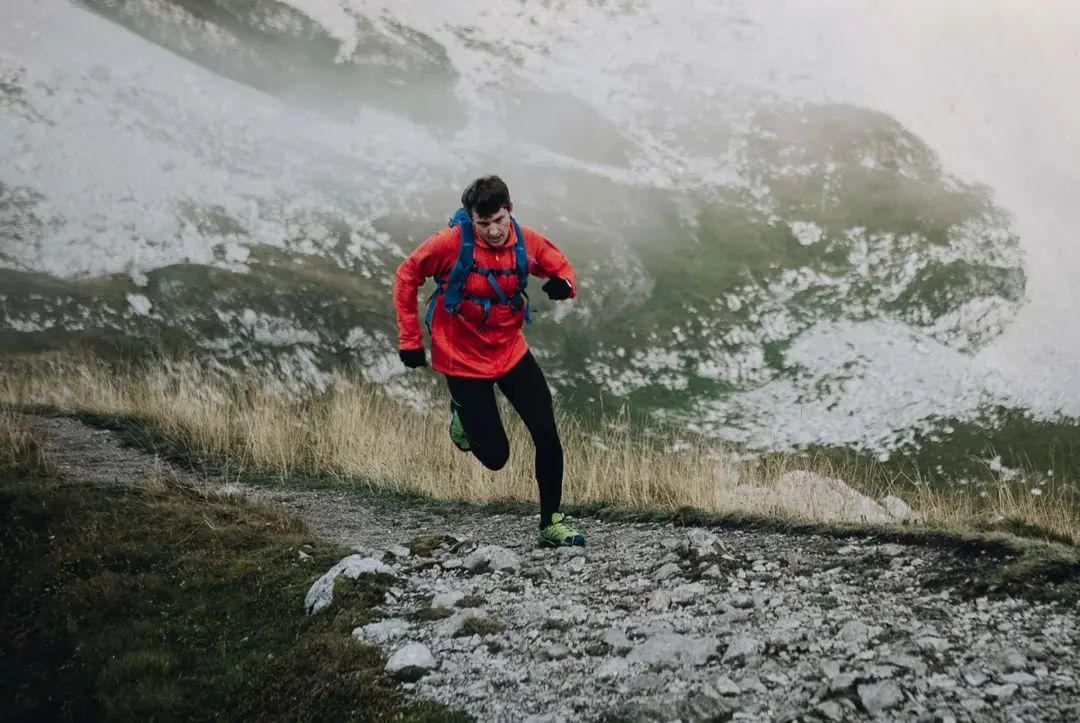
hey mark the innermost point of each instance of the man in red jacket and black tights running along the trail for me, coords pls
(481, 265)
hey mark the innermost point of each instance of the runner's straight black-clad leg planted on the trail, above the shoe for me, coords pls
(528, 391)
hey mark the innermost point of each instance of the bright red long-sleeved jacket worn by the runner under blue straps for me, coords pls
(465, 344)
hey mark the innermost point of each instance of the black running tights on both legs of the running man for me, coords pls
(528, 392)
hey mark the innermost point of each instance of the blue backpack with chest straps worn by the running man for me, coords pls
(453, 288)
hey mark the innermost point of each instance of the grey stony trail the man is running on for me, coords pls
(657, 623)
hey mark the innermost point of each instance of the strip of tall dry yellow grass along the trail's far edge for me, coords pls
(356, 434)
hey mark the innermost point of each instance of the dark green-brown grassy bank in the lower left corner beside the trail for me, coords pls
(165, 602)
